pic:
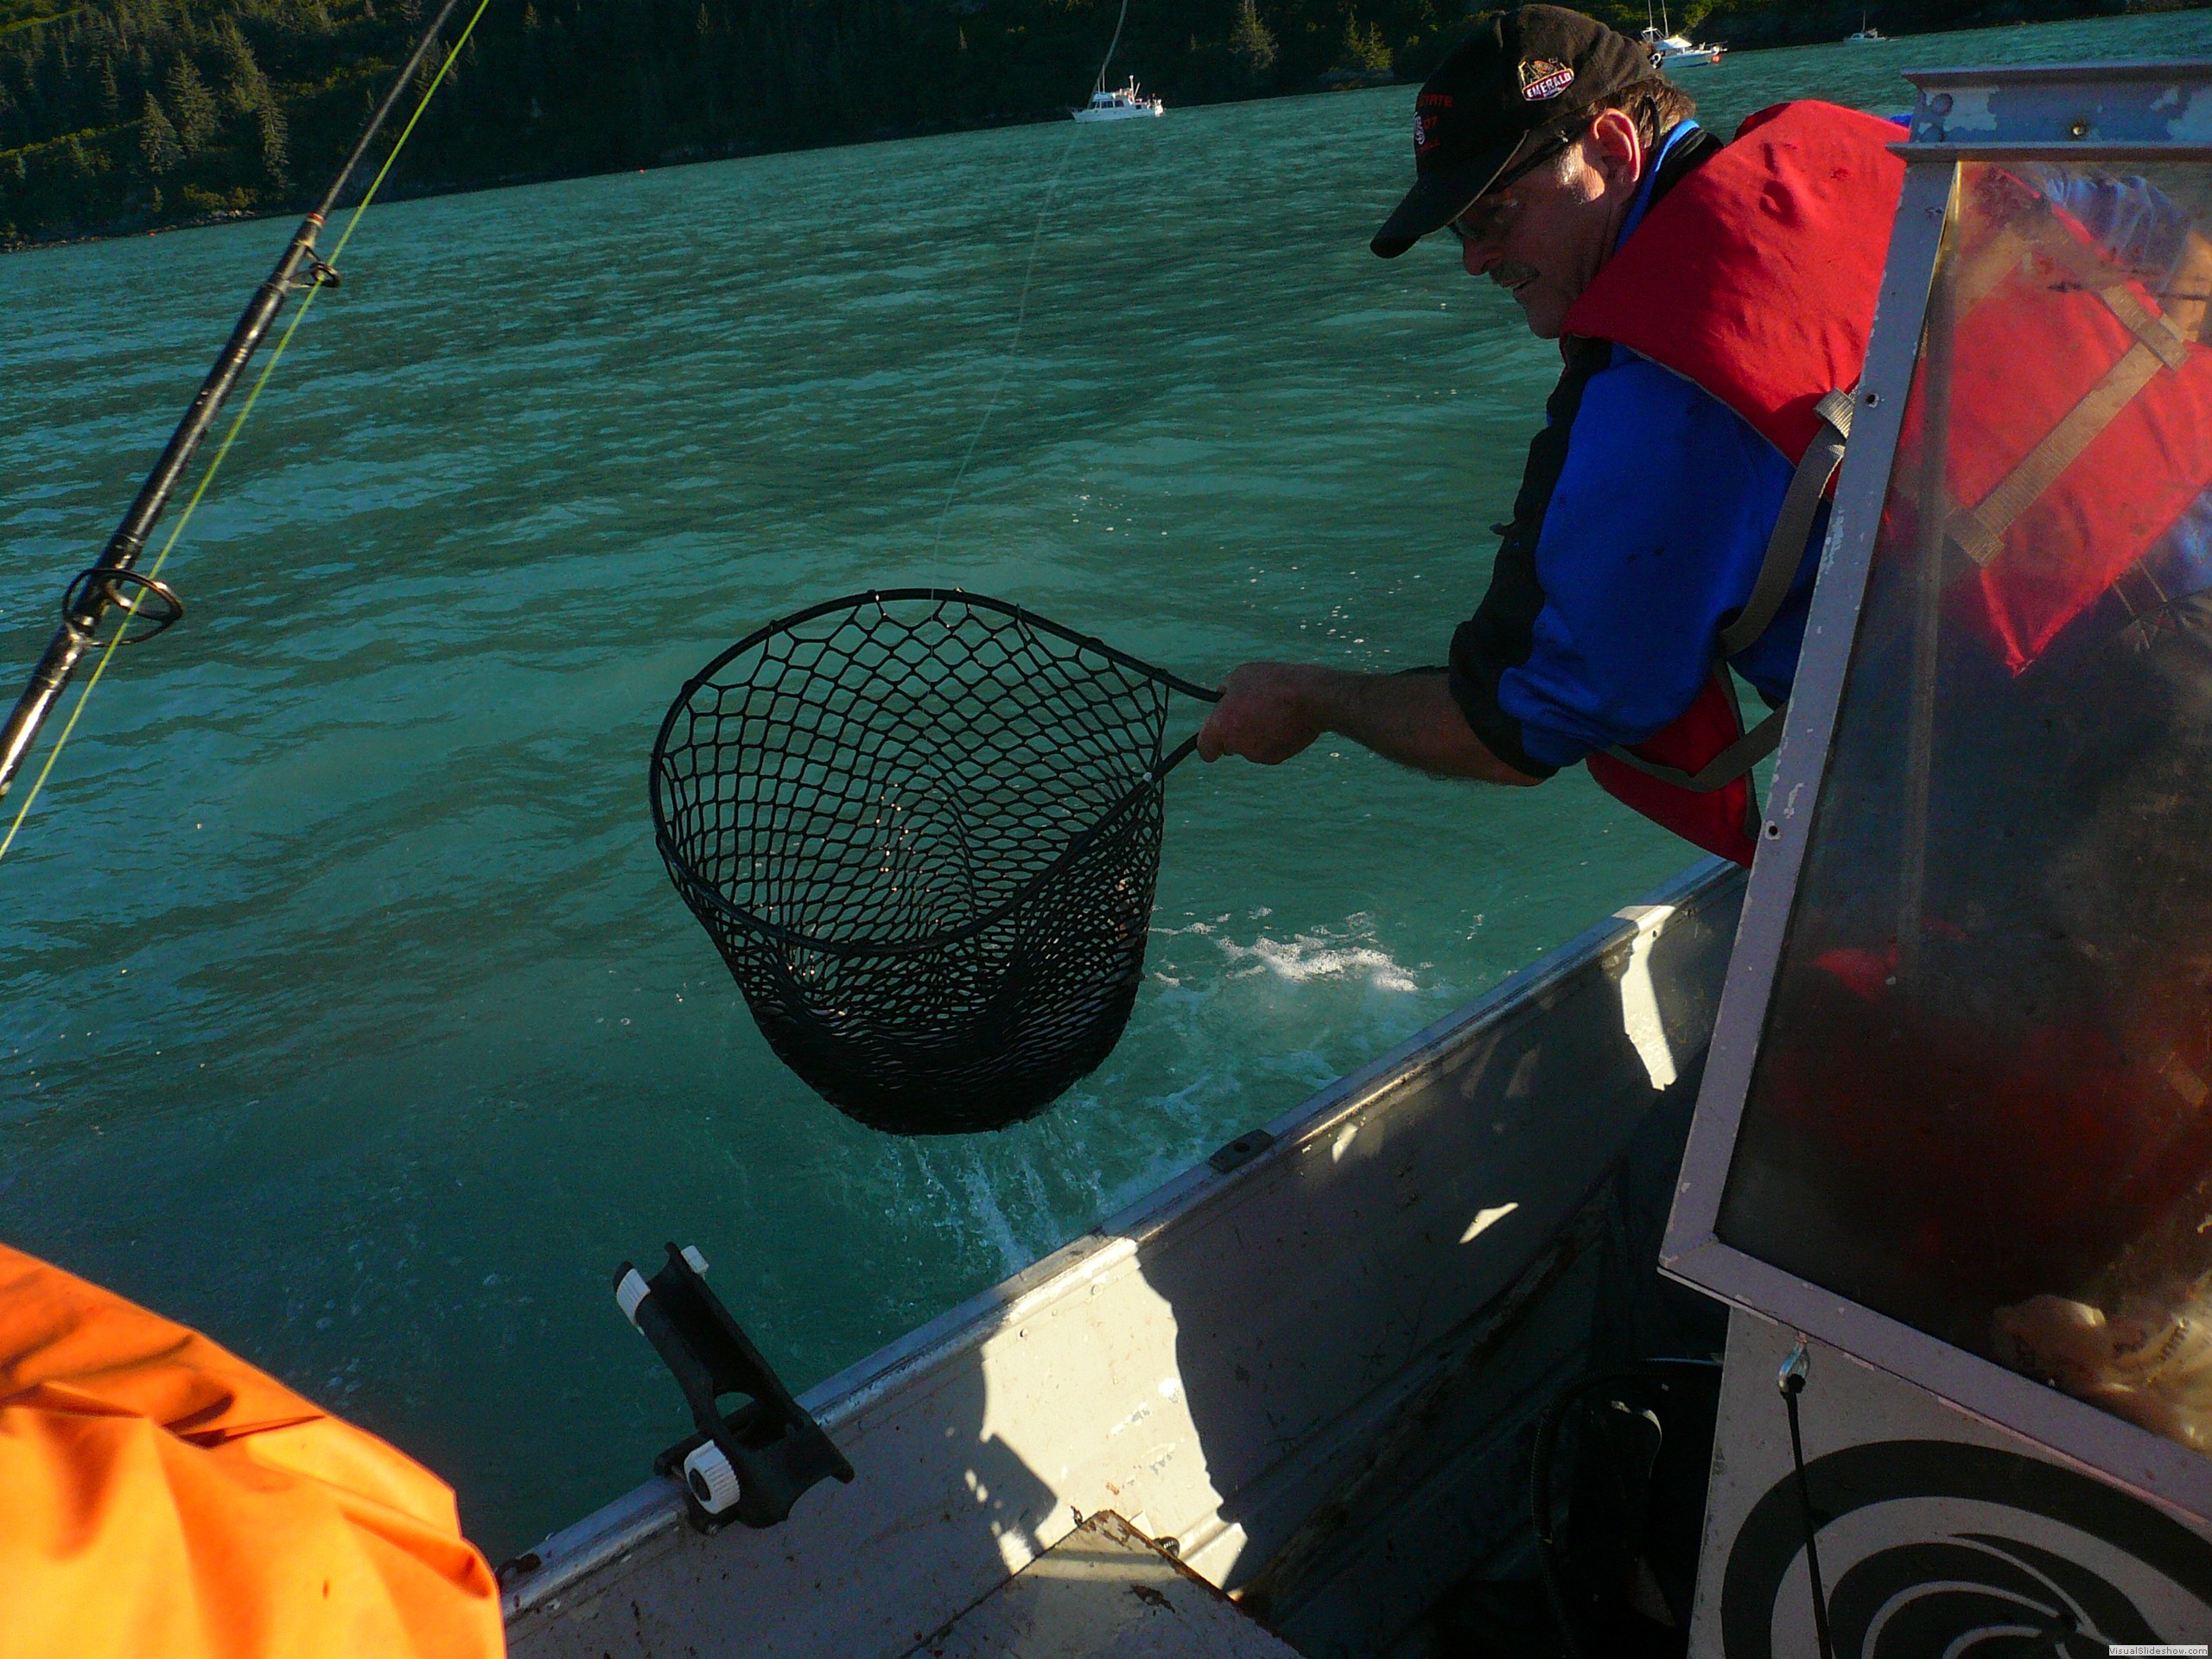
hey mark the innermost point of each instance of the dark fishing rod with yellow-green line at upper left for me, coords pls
(112, 583)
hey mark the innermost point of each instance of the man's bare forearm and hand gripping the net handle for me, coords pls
(1273, 711)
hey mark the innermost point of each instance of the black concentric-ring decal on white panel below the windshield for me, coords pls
(1972, 1594)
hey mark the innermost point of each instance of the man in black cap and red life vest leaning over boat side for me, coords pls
(1673, 505)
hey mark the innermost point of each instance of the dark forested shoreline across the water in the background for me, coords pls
(136, 114)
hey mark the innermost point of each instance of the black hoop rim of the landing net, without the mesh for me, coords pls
(793, 939)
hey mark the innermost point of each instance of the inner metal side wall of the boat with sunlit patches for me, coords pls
(1222, 1361)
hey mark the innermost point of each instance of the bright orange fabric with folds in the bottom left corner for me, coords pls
(165, 1501)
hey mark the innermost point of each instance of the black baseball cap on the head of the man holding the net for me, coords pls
(1521, 72)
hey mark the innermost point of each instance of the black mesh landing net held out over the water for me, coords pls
(924, 831)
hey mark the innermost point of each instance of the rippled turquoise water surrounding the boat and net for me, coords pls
(344, 1005)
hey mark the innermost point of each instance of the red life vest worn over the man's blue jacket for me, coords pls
(1755, 280)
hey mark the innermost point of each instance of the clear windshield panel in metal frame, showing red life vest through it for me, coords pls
(1983, 1100)
